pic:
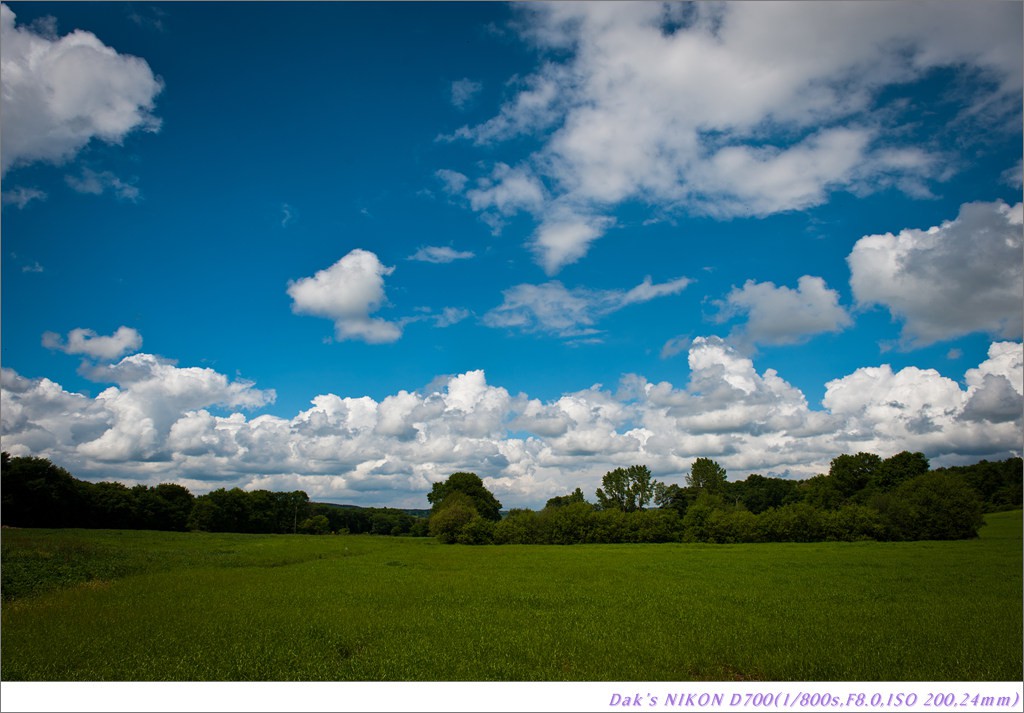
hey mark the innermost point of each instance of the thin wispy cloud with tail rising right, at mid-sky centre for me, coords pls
(553, 309)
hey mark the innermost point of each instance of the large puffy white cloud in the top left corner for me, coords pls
(62, 93)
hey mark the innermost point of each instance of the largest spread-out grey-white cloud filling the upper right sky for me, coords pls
(734, 109)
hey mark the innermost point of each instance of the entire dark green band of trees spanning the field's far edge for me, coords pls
(863, 497)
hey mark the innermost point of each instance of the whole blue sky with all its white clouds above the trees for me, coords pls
(354, 248)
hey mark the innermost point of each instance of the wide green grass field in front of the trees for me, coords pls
(144, 606)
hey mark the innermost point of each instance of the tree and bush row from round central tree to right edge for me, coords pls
(863, 497)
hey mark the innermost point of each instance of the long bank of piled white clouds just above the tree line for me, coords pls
(160, 423)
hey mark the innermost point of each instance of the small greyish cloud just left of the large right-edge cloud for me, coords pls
(784, 316)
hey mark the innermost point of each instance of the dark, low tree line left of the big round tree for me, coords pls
(36, 493)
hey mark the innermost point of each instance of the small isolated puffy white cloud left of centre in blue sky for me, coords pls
(349, 292)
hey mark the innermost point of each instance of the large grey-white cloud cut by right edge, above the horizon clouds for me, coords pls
(962, 277)
